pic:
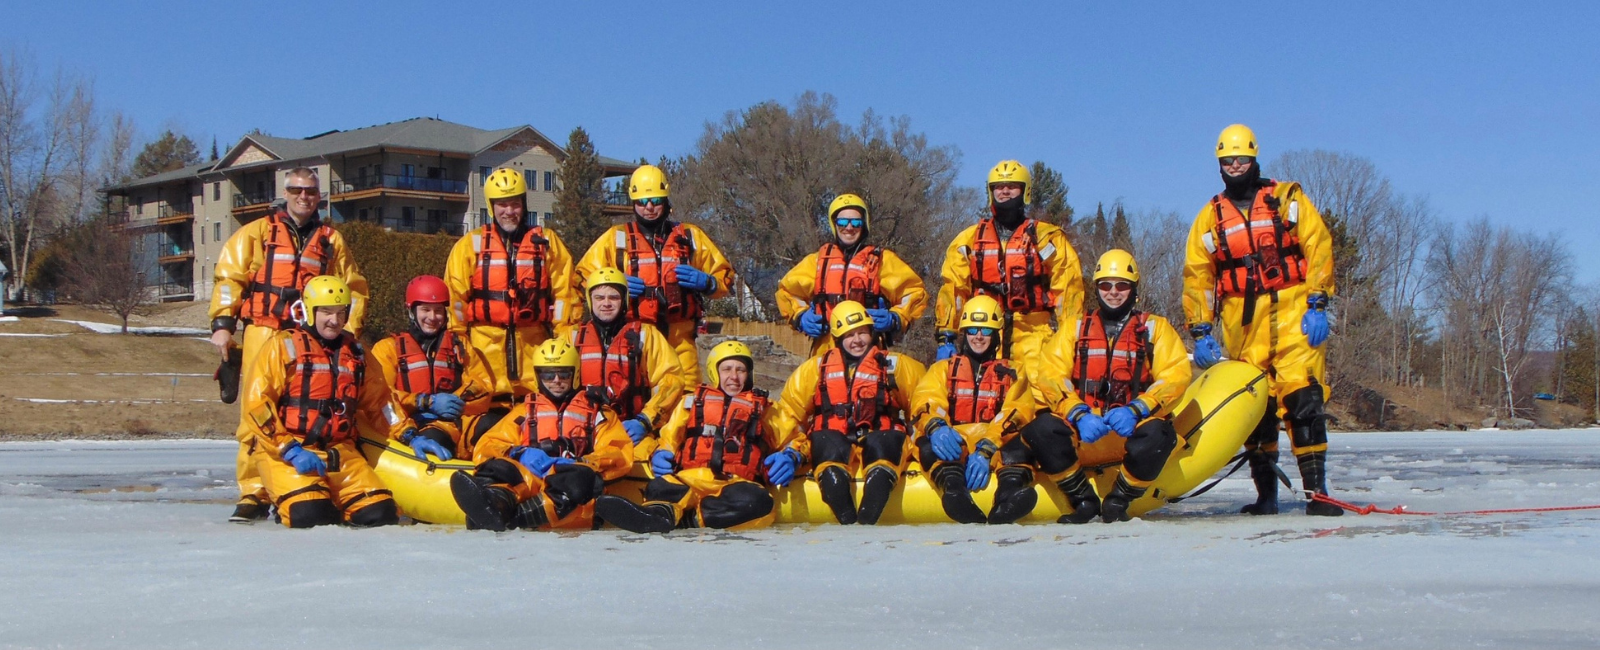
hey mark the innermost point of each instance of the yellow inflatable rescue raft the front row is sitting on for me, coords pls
(1214, 419)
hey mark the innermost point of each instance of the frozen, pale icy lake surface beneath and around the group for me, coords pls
(127, 545)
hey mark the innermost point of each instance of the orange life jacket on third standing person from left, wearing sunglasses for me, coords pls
(663, 300)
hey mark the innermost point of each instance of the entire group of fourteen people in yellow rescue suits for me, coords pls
(556, 377)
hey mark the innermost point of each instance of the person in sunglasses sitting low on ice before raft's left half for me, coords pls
(546, 462)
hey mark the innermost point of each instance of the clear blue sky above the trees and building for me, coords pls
(1486, 110)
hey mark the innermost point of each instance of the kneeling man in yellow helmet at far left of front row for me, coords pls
(305, 399)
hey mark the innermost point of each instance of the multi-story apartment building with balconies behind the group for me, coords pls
(422, 175)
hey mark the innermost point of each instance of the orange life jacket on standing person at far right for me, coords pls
(1255, 254)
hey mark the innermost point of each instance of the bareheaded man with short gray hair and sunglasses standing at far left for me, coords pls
(260, 276)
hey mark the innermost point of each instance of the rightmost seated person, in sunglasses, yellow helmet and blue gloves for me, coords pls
(1124, 372)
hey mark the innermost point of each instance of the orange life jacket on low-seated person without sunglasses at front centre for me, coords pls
(726, 433)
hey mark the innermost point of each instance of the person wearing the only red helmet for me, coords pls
(425, 369)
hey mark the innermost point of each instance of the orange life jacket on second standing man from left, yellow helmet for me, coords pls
(503, 297)
